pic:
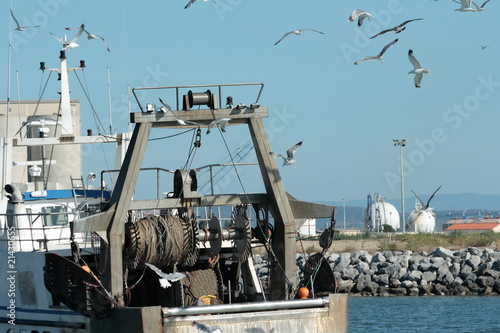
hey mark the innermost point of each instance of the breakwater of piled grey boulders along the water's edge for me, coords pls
(469, 271)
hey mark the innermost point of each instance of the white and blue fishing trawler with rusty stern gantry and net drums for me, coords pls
(82, 259)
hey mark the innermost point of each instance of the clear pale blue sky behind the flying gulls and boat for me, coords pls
(346, 115)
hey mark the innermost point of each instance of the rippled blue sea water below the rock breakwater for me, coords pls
(434, 314)
